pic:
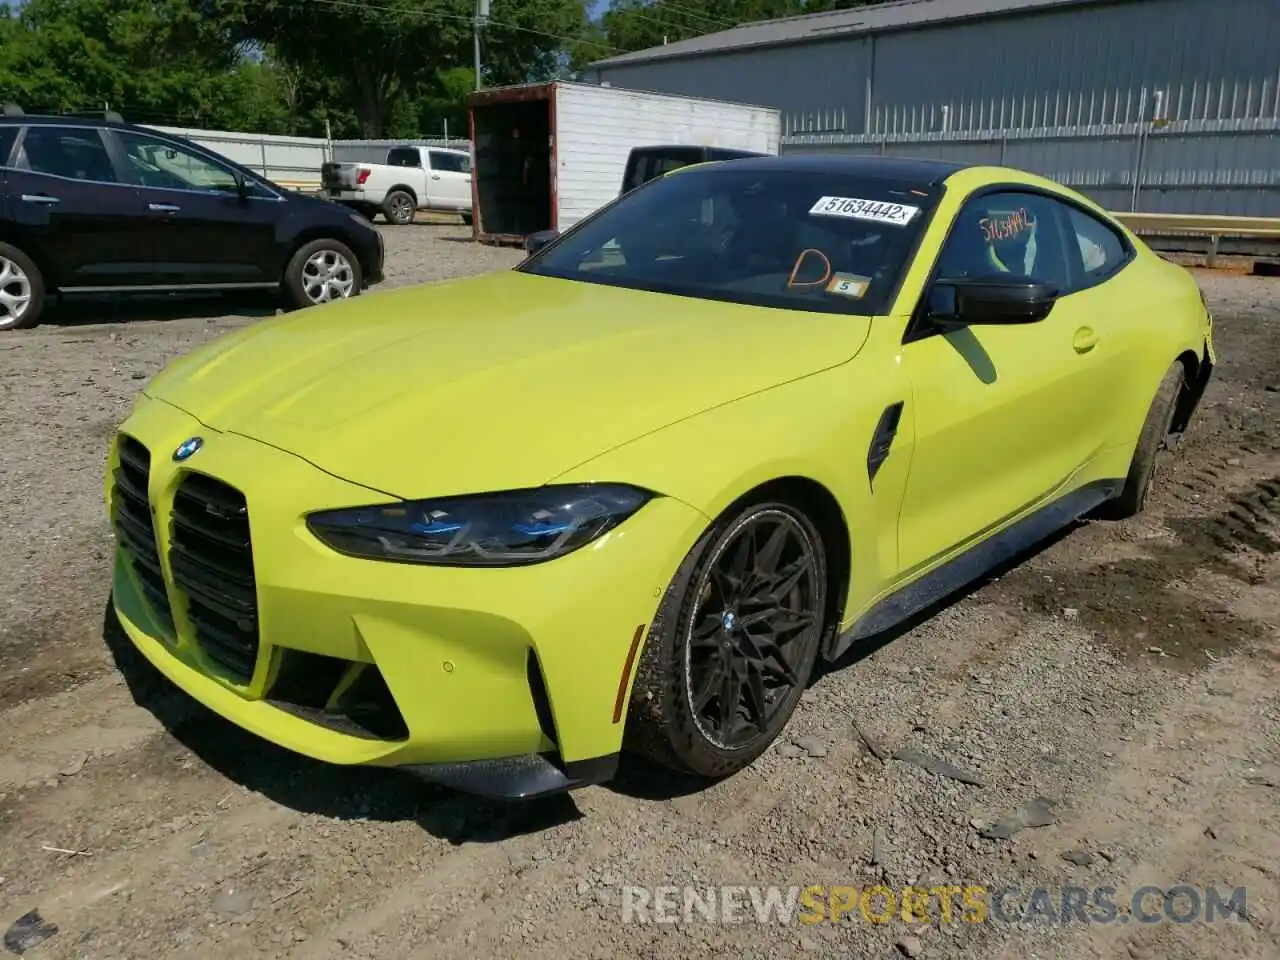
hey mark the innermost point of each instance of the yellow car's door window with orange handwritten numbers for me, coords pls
(1008, 234)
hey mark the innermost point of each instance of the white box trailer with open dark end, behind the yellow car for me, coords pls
(550, 154)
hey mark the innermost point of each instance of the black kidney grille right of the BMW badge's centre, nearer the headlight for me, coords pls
(212, 561)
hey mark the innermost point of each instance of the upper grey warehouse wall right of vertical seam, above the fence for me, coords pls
(1186, 60)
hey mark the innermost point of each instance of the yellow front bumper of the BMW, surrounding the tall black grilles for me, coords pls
(501, 682)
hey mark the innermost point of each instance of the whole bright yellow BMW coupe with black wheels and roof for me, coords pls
(627, 495)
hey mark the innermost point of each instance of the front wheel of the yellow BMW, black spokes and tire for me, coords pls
(666, 723)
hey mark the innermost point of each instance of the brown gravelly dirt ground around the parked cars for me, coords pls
(1122, 688)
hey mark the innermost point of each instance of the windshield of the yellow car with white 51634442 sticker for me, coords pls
(780, 239)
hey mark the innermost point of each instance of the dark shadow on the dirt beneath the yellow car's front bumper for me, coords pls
(312, 787)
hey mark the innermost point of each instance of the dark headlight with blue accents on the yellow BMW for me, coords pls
(482, 531)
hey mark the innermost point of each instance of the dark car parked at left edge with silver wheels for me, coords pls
(94, 205)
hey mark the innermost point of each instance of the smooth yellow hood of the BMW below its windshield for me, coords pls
(496, 382)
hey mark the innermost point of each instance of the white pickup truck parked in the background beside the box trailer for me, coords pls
(414, 179)
